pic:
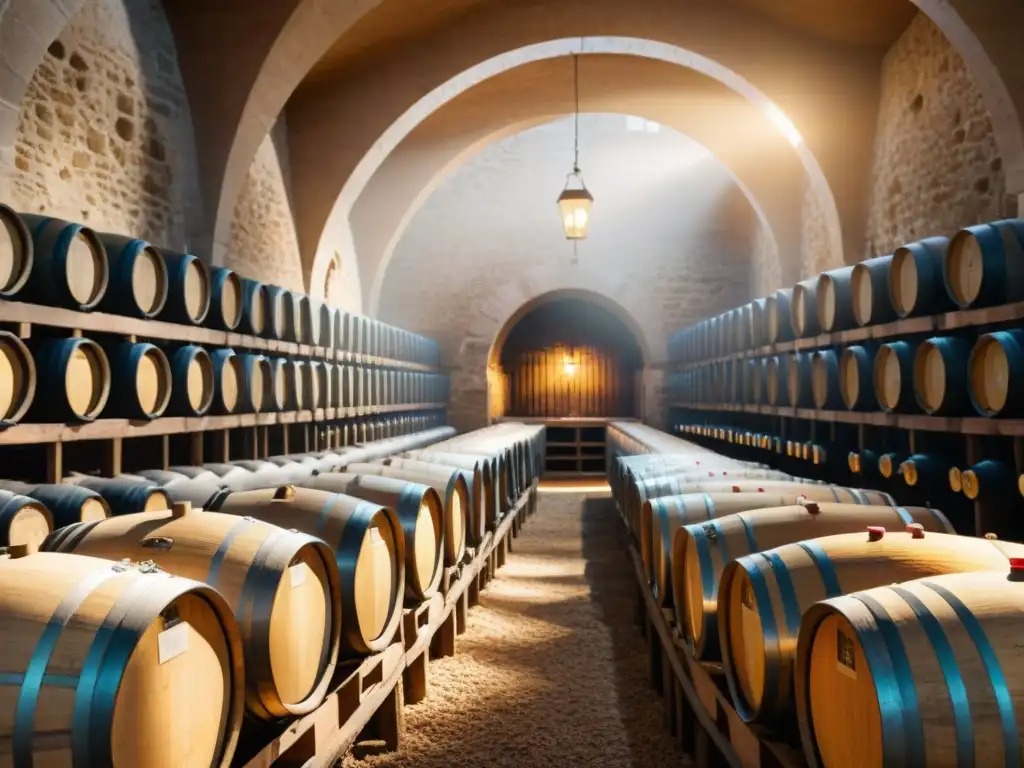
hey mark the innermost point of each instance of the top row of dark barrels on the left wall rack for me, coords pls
(65, 265)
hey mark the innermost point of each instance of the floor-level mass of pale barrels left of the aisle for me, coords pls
(137, 625)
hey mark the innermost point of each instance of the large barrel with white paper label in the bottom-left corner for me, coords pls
(161, 639)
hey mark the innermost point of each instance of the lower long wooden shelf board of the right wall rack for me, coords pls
(963, 425)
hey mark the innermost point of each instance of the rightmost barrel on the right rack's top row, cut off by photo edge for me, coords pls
(984, 265)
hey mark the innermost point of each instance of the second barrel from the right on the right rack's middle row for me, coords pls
(941, 380)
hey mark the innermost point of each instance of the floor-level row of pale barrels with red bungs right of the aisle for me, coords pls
(871, 632)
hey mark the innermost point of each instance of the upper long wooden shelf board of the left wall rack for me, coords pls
(27, 316)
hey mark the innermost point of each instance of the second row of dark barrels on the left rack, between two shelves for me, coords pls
(80, 379)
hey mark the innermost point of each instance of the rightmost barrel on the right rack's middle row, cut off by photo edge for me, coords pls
(996, 372)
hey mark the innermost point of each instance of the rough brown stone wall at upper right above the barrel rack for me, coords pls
(936, 166)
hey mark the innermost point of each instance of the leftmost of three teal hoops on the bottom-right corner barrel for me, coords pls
(903, 731)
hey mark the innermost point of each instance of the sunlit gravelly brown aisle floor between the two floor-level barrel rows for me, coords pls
(552, 670)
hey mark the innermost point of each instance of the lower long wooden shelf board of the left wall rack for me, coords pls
(111, 429)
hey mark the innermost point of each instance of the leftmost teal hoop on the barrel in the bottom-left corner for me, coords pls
(35, 675)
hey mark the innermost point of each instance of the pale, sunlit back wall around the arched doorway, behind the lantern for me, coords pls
(670, 245)
